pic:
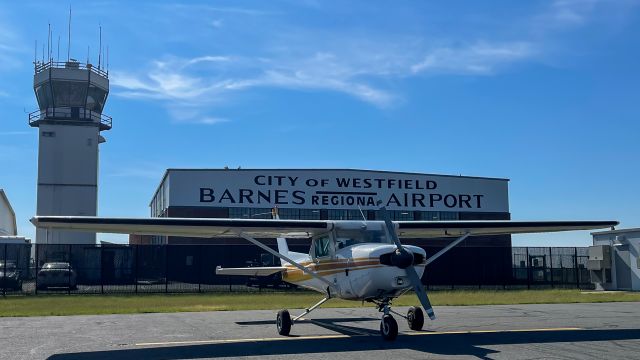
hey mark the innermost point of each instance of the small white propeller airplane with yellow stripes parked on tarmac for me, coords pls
(352, 260)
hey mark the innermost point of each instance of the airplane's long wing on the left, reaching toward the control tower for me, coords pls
(187, 227)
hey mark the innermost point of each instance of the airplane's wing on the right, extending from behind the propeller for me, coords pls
(431, 229)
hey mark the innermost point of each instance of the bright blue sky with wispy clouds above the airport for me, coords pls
(542, 92)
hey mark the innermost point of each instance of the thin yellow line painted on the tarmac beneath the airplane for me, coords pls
(317, 337)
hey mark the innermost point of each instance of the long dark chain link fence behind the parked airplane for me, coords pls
(128, 269)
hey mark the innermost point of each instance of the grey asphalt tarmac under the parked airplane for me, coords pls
(566, 331)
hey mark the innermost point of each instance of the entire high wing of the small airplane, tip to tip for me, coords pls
(206, 228)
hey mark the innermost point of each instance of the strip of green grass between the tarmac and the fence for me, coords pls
(165, 303)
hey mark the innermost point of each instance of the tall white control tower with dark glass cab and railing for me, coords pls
(71, 96)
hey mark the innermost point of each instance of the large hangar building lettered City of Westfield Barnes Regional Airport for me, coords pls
(334, 194)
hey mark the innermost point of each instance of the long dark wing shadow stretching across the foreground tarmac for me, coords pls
(440, 344)
